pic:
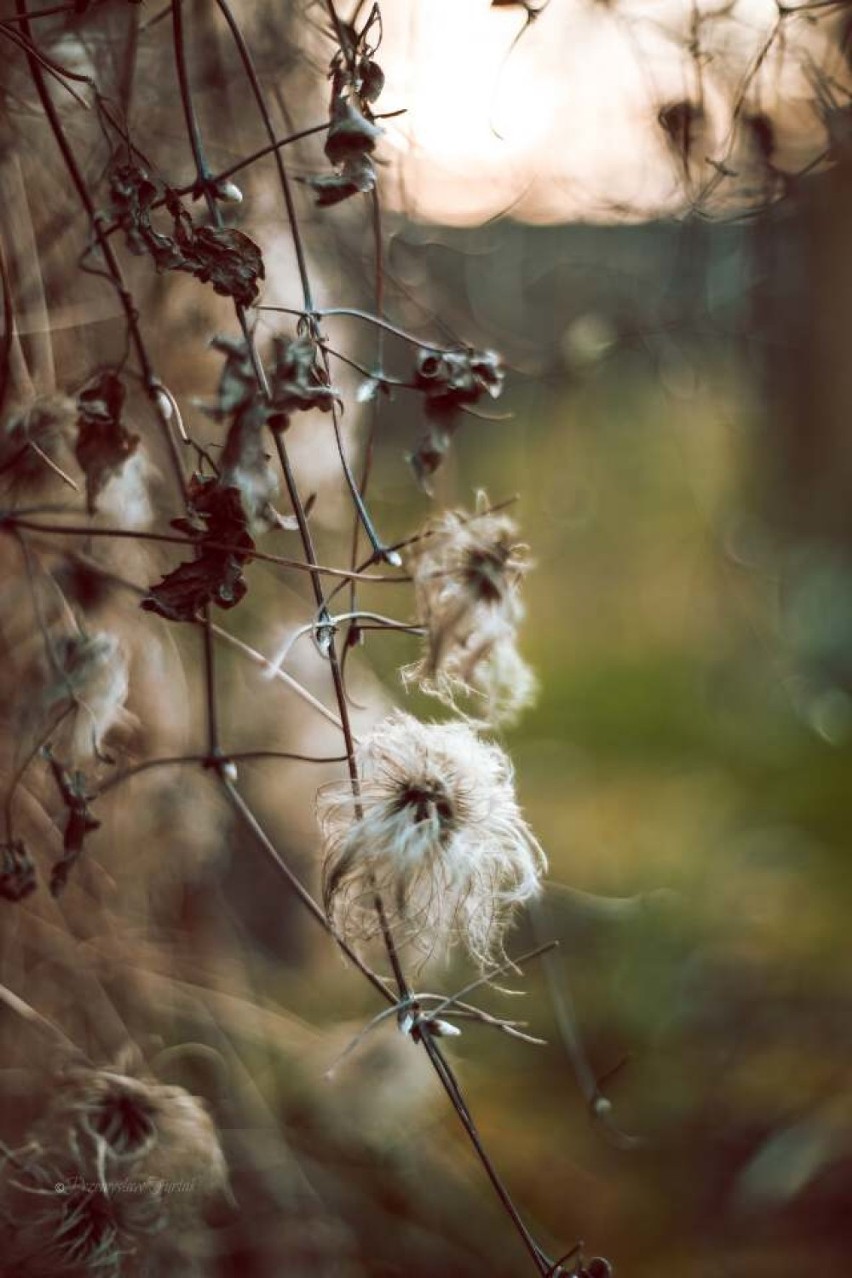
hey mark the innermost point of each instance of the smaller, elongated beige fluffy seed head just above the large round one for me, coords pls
(468, 572)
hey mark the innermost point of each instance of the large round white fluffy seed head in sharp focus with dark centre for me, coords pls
(436, 833)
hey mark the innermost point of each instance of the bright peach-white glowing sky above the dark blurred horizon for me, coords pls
(565, 126)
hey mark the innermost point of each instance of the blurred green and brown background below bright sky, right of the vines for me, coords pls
(676, 396)
